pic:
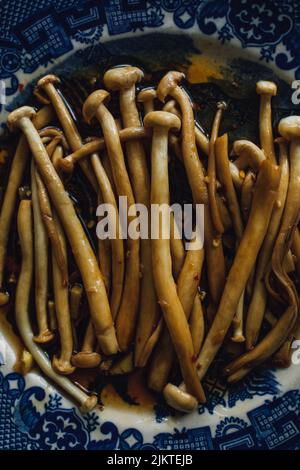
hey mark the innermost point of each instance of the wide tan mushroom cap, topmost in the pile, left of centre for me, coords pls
(119, 78)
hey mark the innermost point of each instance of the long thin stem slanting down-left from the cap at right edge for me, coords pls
(258, 302)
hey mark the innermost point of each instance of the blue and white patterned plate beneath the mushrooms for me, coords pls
(252, 39)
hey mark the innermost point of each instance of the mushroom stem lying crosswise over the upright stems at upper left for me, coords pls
(96, 145)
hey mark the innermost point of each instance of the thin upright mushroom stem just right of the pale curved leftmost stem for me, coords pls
(41, 266)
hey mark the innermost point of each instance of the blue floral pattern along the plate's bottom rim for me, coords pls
(273, 425)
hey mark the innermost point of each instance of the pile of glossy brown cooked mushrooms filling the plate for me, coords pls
(145, 296)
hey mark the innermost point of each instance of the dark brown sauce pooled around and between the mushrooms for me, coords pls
(236, 88)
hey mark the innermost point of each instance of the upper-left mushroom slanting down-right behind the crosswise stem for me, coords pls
(46, 84)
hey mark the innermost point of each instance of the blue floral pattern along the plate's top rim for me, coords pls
(36, 33)
